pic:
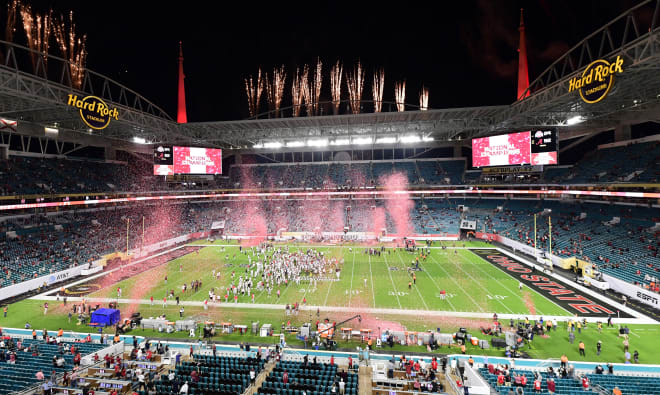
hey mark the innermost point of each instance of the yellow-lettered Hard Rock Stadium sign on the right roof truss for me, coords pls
(596, 80)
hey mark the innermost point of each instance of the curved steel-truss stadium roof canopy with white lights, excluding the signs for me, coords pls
(36, 97)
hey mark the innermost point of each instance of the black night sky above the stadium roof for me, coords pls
(464, 51)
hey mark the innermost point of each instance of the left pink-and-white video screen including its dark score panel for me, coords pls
(187, 160)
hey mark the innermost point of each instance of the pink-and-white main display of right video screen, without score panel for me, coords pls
(502, 150)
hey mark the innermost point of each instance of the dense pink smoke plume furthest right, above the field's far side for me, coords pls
(399, 204)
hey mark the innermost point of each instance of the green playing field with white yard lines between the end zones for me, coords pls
(471, 284)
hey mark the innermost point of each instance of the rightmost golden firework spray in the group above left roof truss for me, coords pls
(73, 48)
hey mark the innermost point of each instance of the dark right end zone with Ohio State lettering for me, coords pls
(564, 295)
